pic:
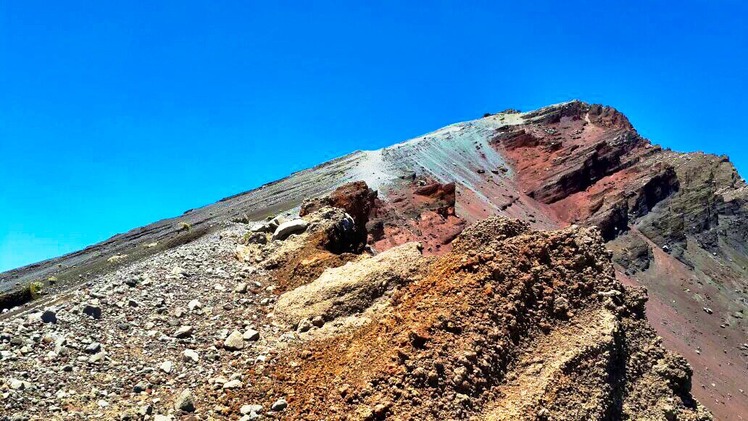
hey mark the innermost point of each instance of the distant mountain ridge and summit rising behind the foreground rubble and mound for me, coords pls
(673, 220)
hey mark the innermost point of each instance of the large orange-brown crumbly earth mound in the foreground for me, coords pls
(512, 324)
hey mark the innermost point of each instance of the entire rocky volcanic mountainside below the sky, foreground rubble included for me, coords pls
(398, 291)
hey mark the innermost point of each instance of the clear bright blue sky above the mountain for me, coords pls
(117, 114)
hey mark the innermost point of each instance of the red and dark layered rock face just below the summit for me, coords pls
(588, 165)
